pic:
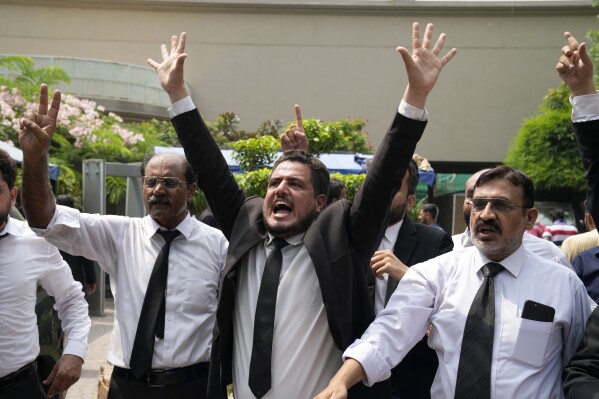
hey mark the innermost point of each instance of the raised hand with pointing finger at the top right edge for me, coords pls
(575, 67)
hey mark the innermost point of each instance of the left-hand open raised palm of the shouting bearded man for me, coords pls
(170, 70)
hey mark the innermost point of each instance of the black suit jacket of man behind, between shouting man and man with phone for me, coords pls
(416, 243)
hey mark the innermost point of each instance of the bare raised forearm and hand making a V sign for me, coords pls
(35, 136)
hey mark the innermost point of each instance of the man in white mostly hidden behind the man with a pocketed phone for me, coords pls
(534, 244)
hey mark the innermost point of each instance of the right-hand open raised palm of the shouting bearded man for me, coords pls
(423, 64)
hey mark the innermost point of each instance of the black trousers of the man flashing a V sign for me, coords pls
(124, 388)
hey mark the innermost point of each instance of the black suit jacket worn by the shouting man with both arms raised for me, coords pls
(340, 241)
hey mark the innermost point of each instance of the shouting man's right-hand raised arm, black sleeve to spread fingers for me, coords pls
(371, 206)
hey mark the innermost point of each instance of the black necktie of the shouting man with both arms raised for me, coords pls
(260, 363)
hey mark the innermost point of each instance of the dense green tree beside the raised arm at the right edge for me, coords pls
(545, 148)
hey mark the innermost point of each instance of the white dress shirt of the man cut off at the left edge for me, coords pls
(26, 261)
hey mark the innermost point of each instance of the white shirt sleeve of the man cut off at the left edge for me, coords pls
(70, 303)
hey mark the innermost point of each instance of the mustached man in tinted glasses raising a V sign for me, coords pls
(160, 343)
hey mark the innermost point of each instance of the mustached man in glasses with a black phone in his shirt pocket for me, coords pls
(504, 320)
